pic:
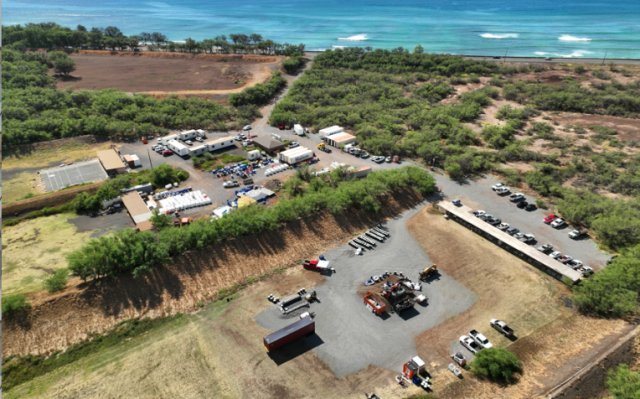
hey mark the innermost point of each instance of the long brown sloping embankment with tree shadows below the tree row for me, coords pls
(178, 287)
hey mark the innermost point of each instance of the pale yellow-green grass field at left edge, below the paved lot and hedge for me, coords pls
(33, 249)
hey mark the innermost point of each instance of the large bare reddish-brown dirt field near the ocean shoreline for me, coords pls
(167, 72)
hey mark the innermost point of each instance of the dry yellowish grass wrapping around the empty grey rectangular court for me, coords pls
(19, 172)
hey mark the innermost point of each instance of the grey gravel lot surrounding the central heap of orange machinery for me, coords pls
(348, 336)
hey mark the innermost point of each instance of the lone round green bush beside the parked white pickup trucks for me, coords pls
(496, 364)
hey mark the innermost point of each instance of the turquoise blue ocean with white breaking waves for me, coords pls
(558, 28)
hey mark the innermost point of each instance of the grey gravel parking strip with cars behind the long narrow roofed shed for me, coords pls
(479, 195)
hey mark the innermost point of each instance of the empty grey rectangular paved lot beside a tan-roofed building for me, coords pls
(68, 175)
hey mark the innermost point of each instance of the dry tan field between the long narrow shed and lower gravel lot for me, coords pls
(551, 338)
